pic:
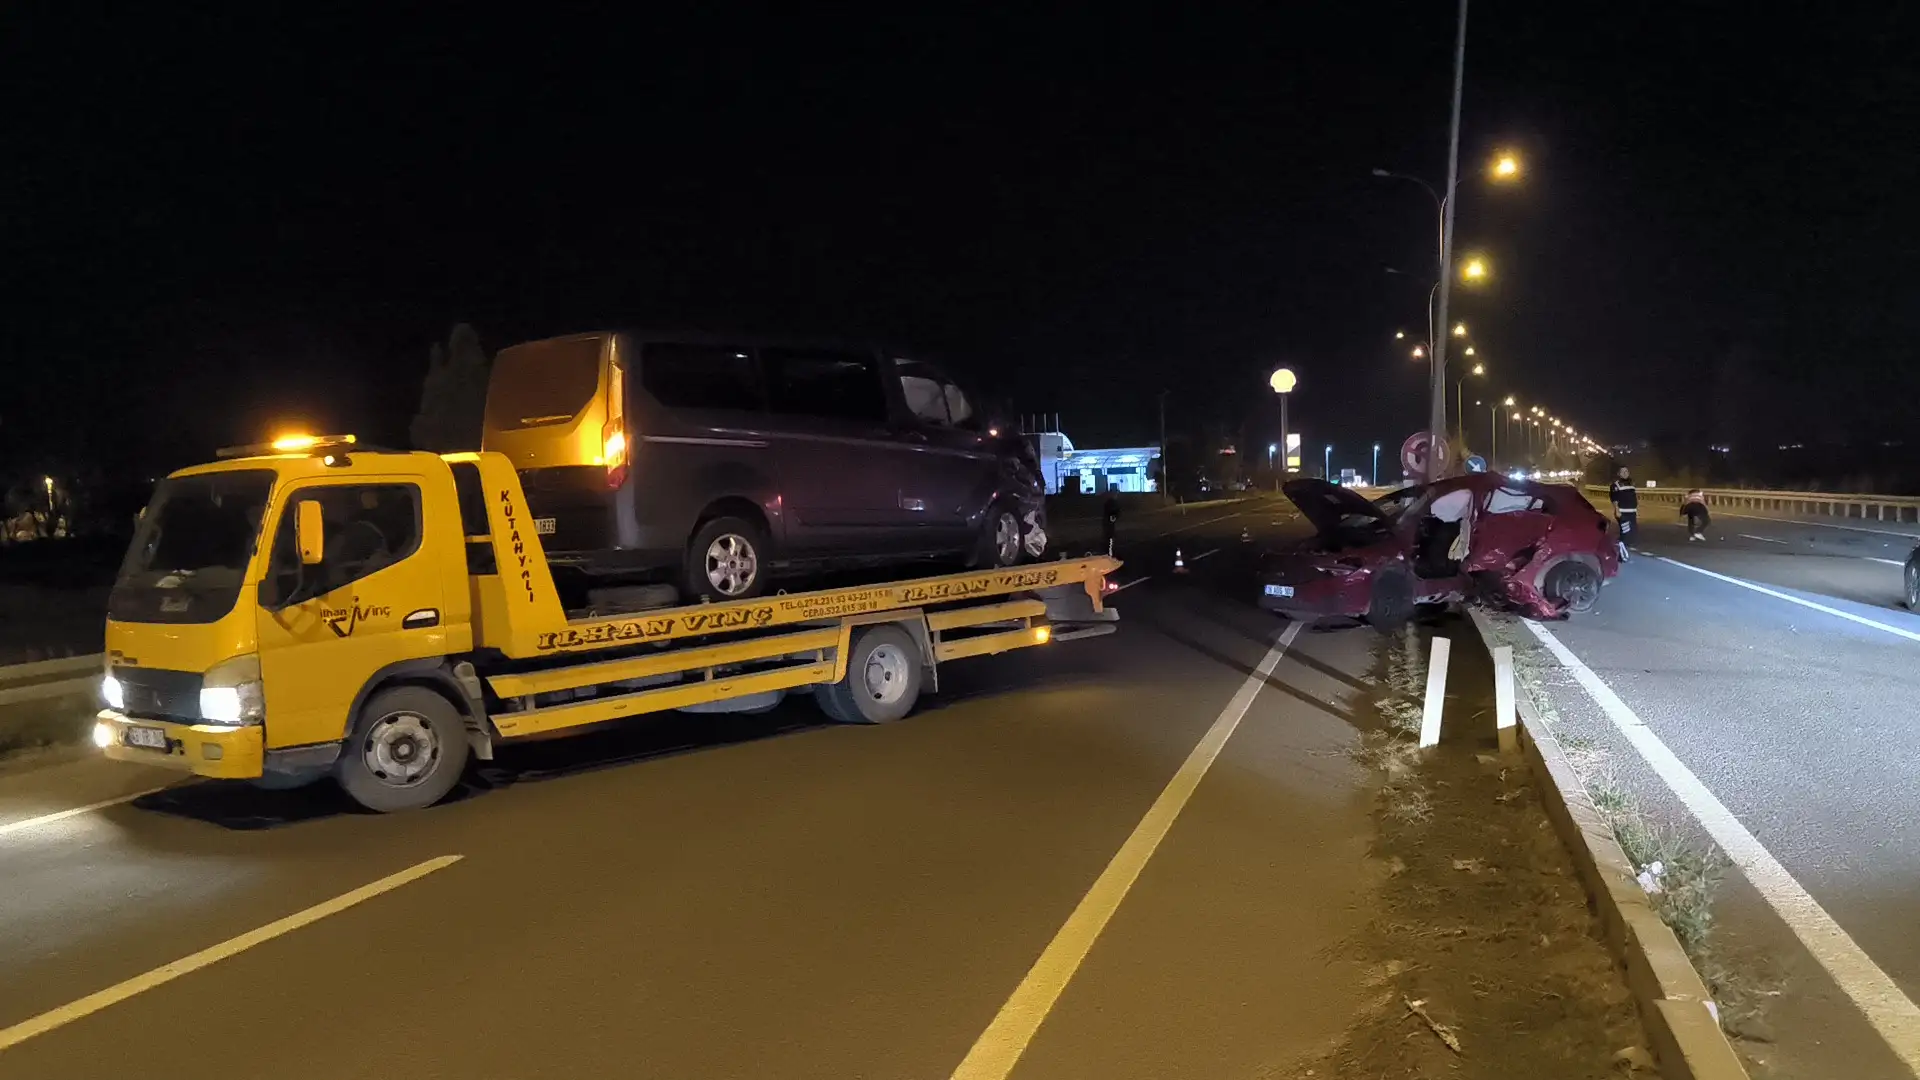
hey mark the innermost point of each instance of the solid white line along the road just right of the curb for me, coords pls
(1892, 1014)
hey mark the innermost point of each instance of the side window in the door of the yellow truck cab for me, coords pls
(370, 528)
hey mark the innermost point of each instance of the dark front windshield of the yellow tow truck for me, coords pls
(191, 549)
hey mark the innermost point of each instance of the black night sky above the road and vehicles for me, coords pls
(212, 224)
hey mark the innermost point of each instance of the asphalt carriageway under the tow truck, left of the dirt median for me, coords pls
(757, 896)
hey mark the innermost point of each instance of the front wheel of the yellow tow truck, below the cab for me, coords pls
(406, 752)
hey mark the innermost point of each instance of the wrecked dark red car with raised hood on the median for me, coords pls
(1541, 551)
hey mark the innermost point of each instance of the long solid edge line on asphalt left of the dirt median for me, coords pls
(1005, 1041)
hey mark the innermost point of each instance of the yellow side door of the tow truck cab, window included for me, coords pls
(375, 601)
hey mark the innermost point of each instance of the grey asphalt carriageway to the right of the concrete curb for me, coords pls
(1798, 706)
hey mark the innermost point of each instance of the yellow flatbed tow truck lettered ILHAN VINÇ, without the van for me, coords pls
(314, 608)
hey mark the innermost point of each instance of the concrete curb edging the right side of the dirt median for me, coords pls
(1671, 996)
